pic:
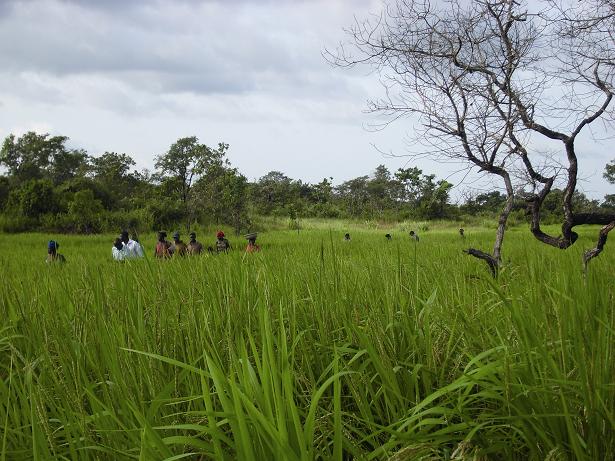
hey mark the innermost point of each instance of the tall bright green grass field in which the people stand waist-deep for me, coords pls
(312, 349)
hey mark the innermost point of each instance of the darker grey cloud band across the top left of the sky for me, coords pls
(199, 46)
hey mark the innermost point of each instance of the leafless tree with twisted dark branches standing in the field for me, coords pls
(486, 78)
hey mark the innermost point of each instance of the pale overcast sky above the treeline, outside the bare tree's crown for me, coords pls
(133, 76)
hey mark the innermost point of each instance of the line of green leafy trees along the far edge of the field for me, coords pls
(47, 186)
